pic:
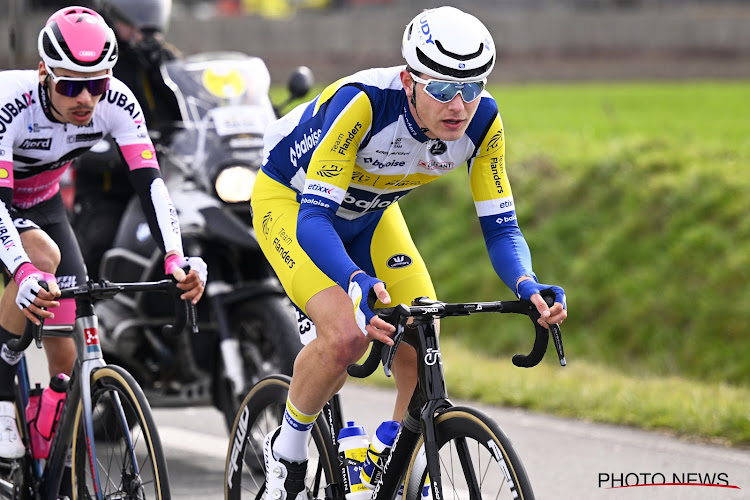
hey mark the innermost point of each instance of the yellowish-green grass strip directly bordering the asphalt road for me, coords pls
(707, 412)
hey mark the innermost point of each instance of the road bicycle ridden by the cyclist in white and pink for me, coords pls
(120, 457)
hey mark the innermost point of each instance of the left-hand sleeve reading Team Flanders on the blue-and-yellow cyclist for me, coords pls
(348, 120)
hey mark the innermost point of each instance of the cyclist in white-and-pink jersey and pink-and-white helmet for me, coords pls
(48, 117)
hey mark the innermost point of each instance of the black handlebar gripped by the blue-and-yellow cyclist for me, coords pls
(398, 315)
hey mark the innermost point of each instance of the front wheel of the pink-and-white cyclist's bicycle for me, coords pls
(118, 475)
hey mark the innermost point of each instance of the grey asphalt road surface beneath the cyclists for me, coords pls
(566, 459)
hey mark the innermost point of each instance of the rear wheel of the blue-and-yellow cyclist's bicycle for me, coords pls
(260, 413)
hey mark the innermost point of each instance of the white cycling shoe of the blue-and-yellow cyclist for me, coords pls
(284, 480)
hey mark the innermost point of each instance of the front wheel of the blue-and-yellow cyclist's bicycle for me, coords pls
(496, 468)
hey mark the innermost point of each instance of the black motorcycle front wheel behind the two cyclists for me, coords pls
(269, 343)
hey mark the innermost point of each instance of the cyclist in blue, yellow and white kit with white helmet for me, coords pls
(326, 204)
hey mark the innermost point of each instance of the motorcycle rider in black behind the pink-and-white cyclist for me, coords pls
(102, 194)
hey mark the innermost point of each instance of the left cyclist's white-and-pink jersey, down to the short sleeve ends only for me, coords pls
(35, 149)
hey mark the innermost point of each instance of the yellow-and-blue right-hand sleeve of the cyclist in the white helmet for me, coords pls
(493, 199)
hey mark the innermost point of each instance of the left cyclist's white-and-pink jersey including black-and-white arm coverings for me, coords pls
(36, 149)
